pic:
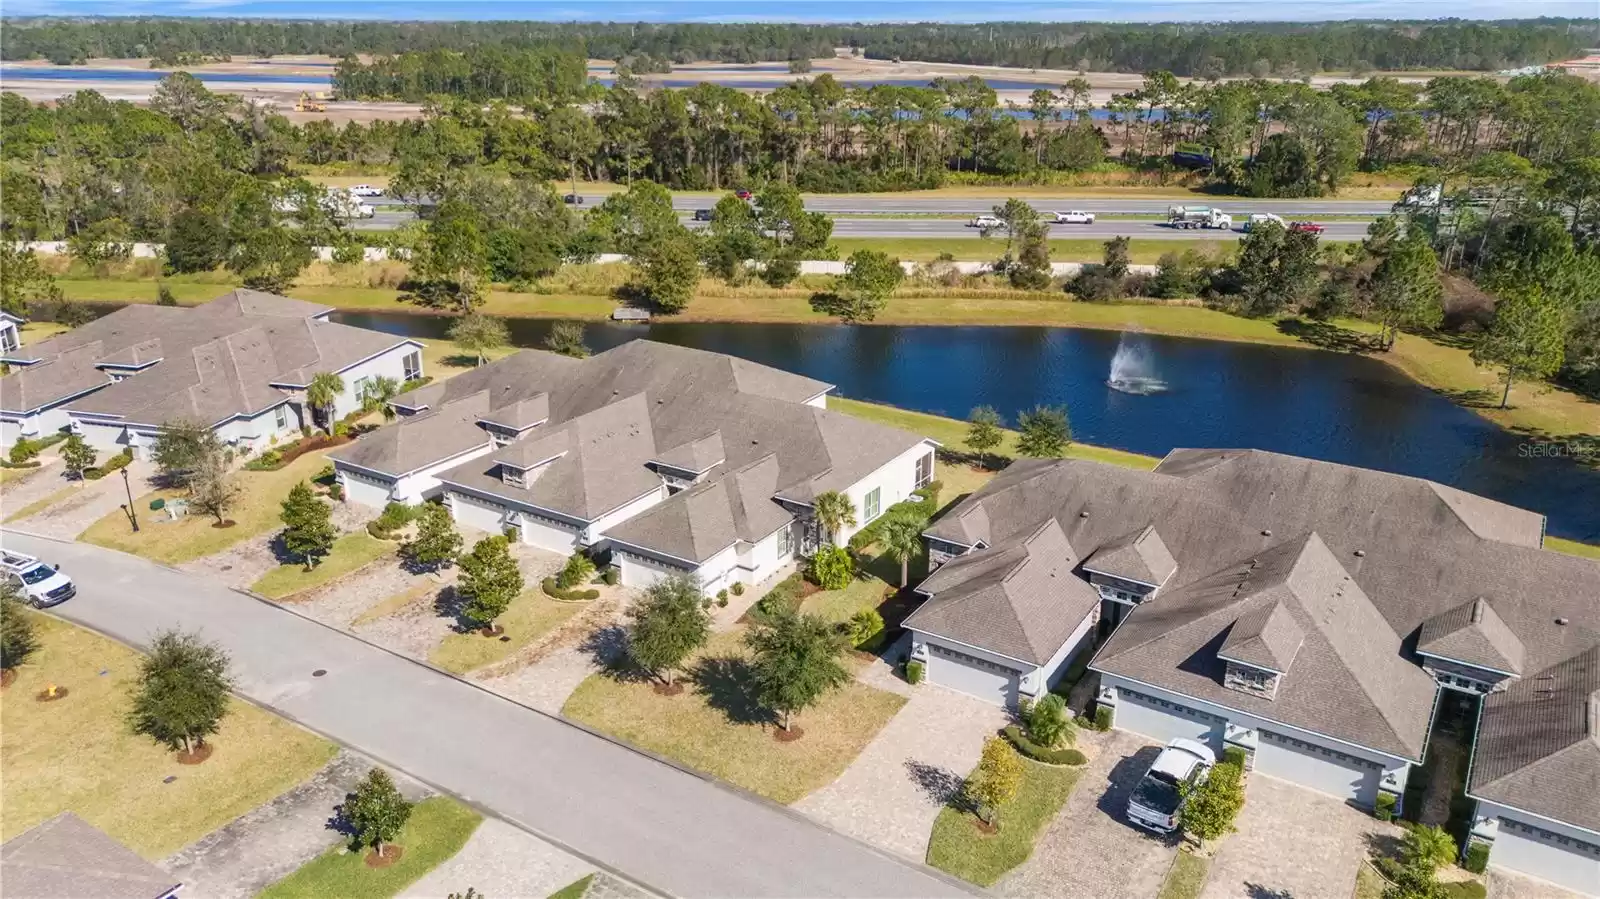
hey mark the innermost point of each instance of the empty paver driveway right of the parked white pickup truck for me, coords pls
(1294, 842)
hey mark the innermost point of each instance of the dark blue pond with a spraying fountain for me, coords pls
(1174, 393)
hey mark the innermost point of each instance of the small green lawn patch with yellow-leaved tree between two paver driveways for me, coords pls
(961, 849)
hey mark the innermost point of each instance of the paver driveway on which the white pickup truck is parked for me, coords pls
(1092, 850)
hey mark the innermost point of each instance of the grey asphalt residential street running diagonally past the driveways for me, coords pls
(674, 833)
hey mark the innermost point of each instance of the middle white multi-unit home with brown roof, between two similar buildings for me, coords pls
(673, 460)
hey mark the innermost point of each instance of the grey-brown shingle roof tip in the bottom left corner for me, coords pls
(70, 858)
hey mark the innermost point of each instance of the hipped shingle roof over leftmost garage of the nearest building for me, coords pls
(1020, 601)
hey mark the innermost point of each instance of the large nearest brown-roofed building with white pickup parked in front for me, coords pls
(1303, 612)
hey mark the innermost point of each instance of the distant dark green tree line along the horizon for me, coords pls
(1193, 49)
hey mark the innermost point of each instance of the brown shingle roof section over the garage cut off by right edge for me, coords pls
(1538, 745)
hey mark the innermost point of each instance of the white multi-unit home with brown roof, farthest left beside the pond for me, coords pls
(239, 364)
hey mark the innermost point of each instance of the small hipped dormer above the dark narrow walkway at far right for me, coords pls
(1471, 649)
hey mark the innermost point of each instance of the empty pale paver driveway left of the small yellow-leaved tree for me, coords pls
(895, 789)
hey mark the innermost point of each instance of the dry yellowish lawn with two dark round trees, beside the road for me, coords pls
(716, 725)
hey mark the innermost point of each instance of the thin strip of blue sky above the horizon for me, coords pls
(818, 10)
